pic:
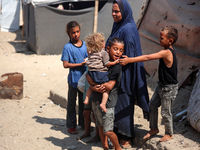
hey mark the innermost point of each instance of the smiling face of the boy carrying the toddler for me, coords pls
(115, 51)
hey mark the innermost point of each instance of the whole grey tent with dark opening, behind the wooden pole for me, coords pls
(45, 24)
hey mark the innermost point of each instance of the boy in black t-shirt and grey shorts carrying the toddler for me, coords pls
(105, 121)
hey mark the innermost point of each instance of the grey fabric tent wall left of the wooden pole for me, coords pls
(45, 27)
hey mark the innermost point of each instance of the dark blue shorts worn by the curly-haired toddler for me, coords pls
(98, 77)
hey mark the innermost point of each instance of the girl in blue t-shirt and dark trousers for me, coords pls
(73, 56)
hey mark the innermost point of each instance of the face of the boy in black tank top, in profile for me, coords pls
(164, 40)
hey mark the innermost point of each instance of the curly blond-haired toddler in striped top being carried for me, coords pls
(98, 63)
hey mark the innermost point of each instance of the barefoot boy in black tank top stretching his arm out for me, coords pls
(167, 88)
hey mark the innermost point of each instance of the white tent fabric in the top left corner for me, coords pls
(10, 15)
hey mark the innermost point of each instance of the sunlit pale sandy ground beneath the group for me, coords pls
(35, 122)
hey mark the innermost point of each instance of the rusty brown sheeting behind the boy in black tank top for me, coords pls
(185, 16)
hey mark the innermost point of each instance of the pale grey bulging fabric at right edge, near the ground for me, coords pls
(193, 113)
